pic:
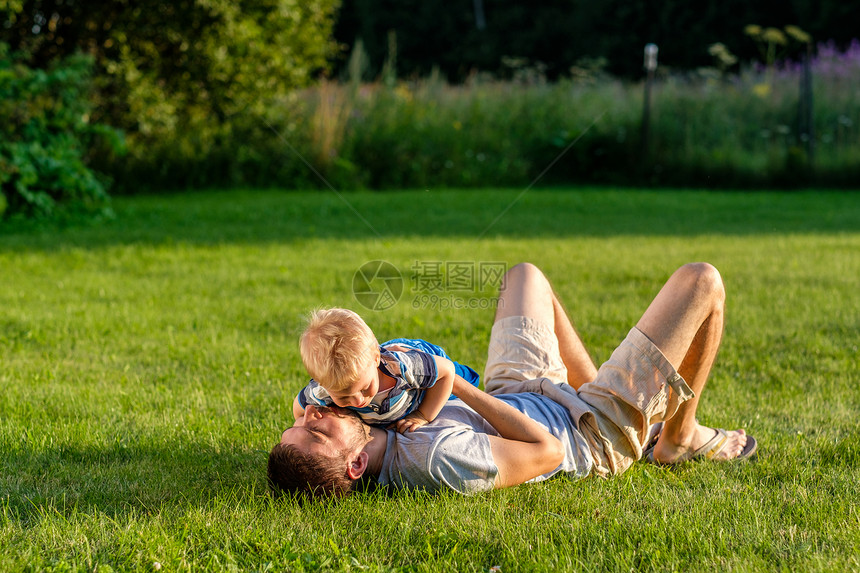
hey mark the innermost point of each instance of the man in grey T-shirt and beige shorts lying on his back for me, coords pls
(547, 408)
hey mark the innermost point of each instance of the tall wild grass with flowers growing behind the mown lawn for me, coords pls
(706, 129)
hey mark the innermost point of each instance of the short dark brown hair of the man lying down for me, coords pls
(299, 473)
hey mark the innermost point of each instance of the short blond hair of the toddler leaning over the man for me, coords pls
(336, 345)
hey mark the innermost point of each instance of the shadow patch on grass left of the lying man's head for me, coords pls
(121, 479)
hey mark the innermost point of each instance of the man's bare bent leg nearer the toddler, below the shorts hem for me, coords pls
(526, 292)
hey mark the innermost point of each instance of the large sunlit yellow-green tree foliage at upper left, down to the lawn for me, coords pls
(184, 80)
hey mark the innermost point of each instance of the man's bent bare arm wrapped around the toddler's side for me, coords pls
(523, 450)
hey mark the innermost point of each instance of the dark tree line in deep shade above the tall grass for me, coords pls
(467, 35)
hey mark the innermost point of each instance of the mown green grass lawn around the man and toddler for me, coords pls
(148, 364)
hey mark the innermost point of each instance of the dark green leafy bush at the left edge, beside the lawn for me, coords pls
(44, 138)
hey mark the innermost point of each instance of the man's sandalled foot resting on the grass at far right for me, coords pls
(704, 443)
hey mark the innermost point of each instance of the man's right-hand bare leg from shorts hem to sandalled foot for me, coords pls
(685, 321)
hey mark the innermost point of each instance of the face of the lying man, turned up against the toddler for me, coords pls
(327, 431)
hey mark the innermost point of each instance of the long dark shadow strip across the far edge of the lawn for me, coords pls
(281, 216)
